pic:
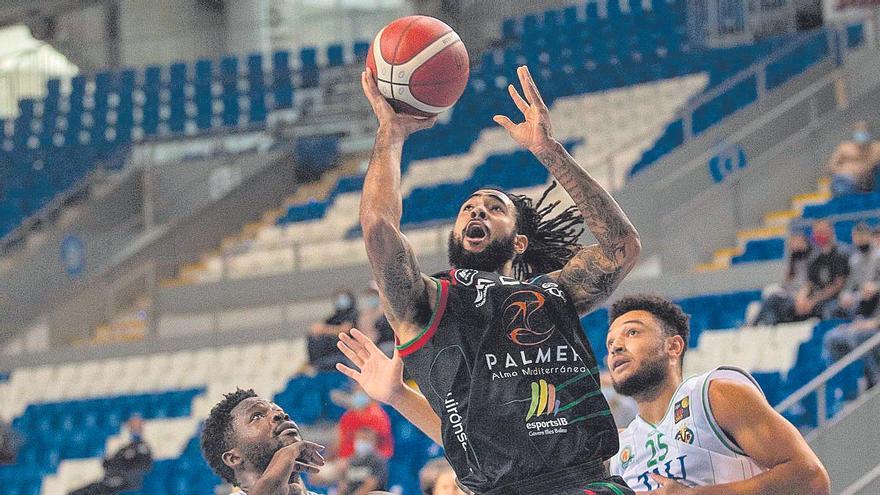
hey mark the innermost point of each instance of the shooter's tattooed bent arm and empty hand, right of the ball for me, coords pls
(595, 271)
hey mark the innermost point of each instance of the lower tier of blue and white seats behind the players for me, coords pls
(55, 407)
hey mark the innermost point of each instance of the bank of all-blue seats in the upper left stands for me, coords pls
(55, 142)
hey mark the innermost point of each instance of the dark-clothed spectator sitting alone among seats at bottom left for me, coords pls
(125, 470)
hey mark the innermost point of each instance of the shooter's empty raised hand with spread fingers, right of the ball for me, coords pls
(535, 133)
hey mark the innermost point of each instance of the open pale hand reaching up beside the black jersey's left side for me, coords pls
(380, 377)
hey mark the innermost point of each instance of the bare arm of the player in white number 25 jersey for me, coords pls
(772, 442)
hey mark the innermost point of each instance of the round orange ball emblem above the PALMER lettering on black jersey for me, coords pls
(525, 322)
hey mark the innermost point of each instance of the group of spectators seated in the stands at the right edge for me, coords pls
(831, 280)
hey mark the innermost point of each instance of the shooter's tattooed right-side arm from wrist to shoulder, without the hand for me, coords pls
(593, 274)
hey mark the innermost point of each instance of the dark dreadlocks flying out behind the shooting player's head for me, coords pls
(553, 240)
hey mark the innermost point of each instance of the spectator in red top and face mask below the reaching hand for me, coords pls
(364, 413)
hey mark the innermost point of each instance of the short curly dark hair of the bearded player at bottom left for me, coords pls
(217, 435)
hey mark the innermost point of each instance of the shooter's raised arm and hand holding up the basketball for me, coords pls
(404, 289)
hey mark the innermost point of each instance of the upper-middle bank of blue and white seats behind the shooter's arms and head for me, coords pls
(580, 75)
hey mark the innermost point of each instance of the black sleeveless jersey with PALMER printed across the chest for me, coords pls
(506, 366)
